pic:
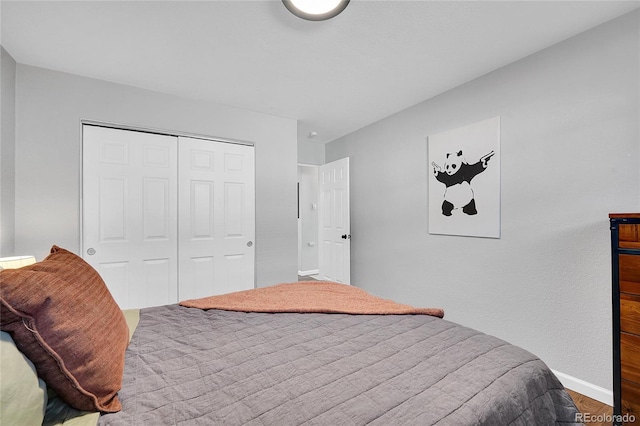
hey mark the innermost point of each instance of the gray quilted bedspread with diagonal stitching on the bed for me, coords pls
(188, 366)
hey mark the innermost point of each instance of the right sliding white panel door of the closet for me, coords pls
(216, 217)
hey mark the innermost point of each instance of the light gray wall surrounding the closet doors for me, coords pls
(49, 107)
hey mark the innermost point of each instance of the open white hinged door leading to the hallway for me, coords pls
(334, 222)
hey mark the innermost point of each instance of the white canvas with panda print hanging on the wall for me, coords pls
(464, 180)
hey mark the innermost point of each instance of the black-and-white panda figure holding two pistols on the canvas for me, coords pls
(457, 176)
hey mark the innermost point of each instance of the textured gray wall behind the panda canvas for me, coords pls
(570, 143)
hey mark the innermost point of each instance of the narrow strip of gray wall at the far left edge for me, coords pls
(7, 152)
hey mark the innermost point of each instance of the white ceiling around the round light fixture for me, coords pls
(334, 77)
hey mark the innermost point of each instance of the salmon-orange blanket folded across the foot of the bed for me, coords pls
(308, 297)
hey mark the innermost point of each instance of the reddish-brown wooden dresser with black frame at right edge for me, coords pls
(625, 258)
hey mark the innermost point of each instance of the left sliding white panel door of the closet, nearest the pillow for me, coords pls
(129, 211)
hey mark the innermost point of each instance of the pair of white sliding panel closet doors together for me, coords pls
(166, 218)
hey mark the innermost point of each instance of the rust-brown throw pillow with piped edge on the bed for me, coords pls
(63, 318)
